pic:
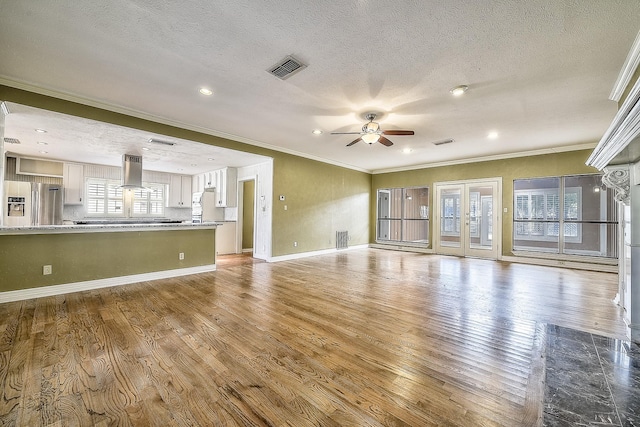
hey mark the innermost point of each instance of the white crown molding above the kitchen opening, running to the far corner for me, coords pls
(162, 120)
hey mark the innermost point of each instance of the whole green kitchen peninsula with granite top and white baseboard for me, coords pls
(82, 257)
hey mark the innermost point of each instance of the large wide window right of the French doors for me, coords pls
(572, 215)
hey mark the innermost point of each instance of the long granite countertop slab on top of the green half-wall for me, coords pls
(96, 228)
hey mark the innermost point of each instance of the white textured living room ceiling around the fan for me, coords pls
(539, 72)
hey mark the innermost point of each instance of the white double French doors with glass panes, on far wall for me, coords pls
(467, 218)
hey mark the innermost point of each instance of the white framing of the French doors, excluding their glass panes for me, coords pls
(464, 249)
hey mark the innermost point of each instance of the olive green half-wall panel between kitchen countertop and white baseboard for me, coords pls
(78, 257)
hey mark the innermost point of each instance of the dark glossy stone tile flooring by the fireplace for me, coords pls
(590, 380)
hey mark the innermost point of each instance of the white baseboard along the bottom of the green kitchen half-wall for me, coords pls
(46, 291)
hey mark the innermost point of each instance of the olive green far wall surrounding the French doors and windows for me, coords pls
(568, 163)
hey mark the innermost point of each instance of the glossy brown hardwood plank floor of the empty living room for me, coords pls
(359, 338)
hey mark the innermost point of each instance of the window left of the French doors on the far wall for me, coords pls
(403, 215)
